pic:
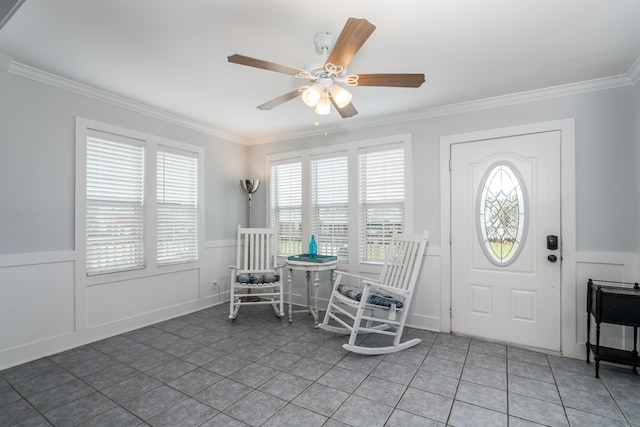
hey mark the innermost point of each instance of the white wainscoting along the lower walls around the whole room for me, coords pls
(38, 307)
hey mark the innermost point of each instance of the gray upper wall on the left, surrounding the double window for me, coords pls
(37, 165)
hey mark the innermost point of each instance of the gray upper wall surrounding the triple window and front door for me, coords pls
(606, 160)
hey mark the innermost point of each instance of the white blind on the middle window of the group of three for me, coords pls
(330, 205)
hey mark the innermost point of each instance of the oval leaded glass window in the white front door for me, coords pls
(502, 213)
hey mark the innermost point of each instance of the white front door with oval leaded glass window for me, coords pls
(505, 202)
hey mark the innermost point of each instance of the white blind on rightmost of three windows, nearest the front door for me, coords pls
(381, 201)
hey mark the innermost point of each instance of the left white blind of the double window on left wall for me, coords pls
(115, 205)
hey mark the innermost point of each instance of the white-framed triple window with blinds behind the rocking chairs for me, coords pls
(350, 196)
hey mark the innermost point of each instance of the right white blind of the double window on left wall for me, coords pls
(177, 207)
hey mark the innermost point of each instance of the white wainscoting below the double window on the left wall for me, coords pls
(40, 313)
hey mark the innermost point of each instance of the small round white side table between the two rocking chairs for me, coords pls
(304, 263)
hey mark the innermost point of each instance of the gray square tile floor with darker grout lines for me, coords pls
(204, 370)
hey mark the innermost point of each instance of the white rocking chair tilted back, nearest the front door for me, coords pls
(357, 309)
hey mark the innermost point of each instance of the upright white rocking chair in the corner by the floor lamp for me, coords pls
(256, 278)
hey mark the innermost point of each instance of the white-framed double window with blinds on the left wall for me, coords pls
(138, 198)
